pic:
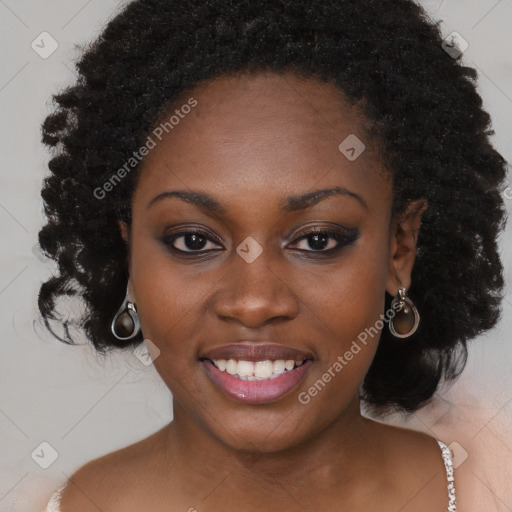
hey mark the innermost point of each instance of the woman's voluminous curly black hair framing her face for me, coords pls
(387, 56)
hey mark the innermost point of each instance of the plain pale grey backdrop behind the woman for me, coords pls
(80, 406)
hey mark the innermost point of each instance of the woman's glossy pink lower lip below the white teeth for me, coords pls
(257, 391)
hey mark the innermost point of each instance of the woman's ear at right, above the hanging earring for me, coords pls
(403, 243)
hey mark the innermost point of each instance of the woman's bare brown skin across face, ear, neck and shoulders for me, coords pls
(252, 141)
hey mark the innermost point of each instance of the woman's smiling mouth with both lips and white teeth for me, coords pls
(256, 373)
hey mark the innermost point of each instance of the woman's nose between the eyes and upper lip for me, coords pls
(256, 293)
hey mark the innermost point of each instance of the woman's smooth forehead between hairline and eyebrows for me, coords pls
(266, 132)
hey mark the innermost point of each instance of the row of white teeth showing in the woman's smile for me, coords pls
(258, 370)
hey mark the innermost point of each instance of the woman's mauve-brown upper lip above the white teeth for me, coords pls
(256, 351)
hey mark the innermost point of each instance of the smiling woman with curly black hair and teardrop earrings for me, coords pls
(295, 206)
